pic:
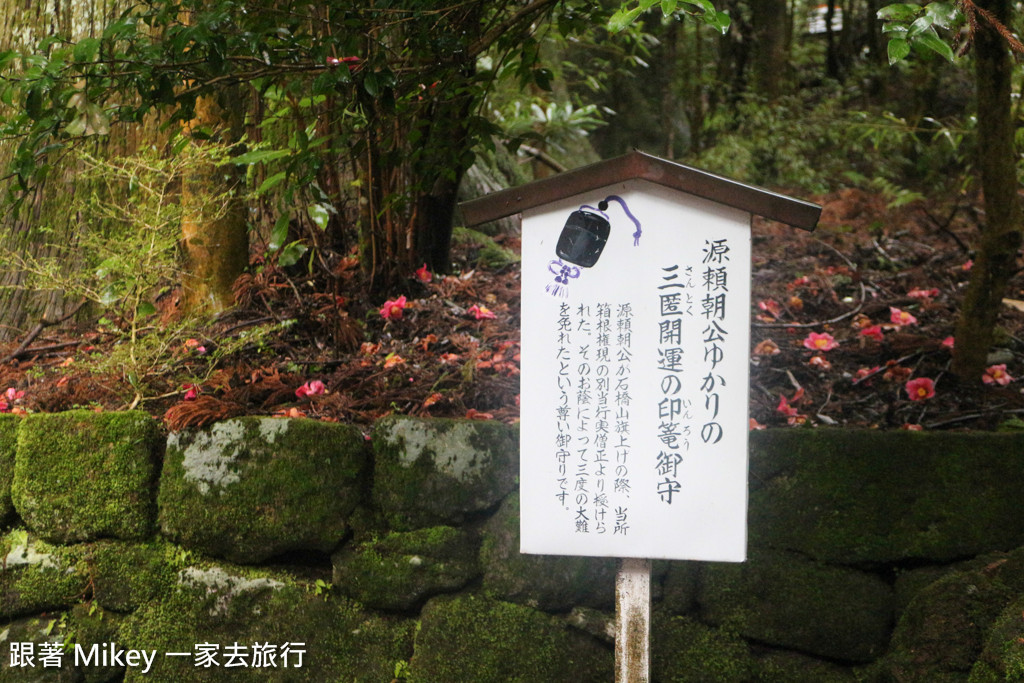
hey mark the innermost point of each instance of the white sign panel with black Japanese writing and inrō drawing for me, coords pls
(635, 352)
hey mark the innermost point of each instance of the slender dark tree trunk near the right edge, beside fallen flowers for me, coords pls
(1001, 236)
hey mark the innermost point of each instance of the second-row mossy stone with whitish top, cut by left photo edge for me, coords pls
(37, 577)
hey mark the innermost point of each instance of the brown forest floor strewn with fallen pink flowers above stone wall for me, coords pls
(452, 348)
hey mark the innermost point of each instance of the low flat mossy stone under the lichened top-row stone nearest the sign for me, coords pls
(401, 570)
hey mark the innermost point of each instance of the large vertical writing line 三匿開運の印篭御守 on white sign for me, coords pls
(675, 306)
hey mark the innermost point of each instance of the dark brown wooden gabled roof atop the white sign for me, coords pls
(647, 167)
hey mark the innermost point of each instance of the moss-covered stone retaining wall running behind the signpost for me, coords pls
(394, 556)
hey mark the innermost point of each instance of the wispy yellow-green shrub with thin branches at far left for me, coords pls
(125, 253)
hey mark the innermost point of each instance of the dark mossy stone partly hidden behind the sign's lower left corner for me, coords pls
(551, 583)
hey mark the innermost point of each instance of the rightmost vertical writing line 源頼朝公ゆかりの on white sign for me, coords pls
(715, 286)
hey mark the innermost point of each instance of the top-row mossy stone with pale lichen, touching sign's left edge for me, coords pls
(436, 473)
